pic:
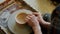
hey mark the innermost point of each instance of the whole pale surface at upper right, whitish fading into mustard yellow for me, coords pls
(43, 6)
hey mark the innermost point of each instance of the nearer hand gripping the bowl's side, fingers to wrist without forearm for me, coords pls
(32, 20)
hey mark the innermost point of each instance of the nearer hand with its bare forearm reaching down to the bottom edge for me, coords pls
(33, 22)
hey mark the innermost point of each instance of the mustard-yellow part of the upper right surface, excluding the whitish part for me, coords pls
(46, 6)
